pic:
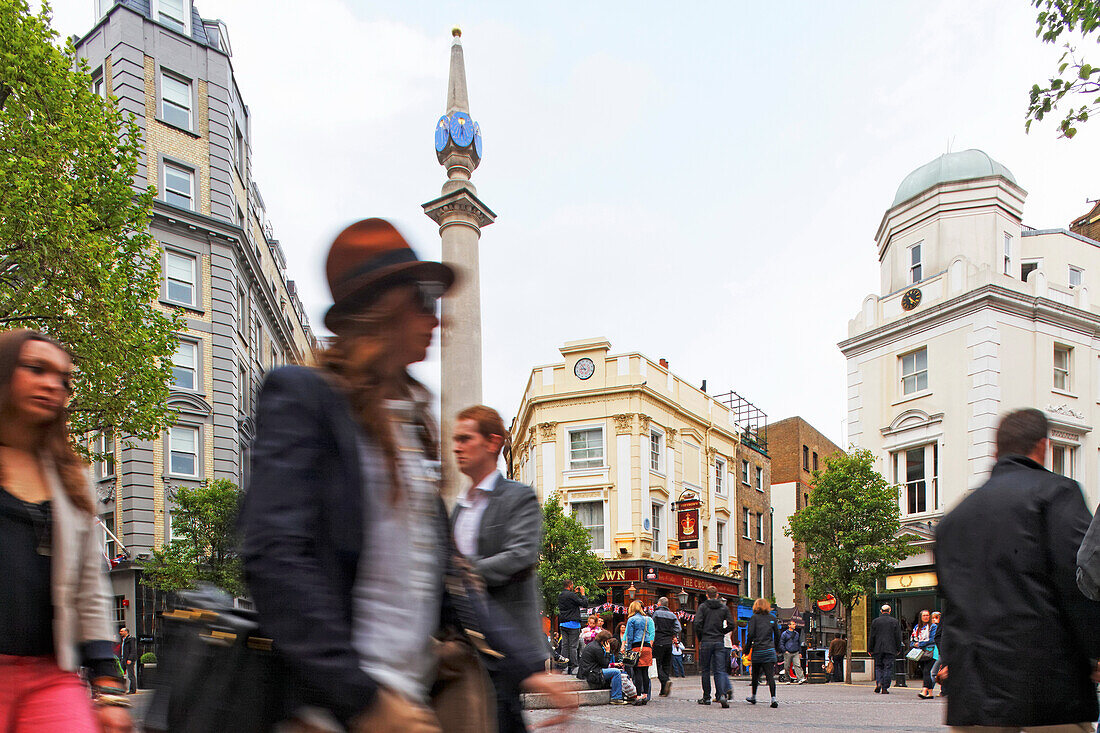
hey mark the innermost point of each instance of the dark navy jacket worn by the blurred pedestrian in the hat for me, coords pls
(302, 537)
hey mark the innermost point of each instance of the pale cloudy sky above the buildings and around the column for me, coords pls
(698, 182)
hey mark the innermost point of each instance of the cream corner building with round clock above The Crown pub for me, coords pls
(621, 439)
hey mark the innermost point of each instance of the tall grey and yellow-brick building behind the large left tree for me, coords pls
(223, 269)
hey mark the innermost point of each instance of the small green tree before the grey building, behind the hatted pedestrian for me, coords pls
(205, 545)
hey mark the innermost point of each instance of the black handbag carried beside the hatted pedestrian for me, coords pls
(217, 672)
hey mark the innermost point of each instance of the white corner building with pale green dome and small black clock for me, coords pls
(976, 315)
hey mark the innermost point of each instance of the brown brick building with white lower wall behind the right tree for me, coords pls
(797, 451)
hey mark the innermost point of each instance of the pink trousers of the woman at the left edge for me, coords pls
(39, 697)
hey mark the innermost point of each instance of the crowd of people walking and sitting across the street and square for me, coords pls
(344, 528)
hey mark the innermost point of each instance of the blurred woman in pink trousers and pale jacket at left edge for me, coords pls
(54, 601)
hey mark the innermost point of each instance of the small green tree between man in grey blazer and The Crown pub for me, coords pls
(567, 555)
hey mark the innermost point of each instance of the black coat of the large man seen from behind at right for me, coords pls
(1018, 632)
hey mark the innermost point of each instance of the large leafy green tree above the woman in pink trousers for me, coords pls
(76, 260)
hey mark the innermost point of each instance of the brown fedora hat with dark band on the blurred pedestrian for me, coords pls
(369, 257)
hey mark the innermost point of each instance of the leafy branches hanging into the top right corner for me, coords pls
(1075, 75)
